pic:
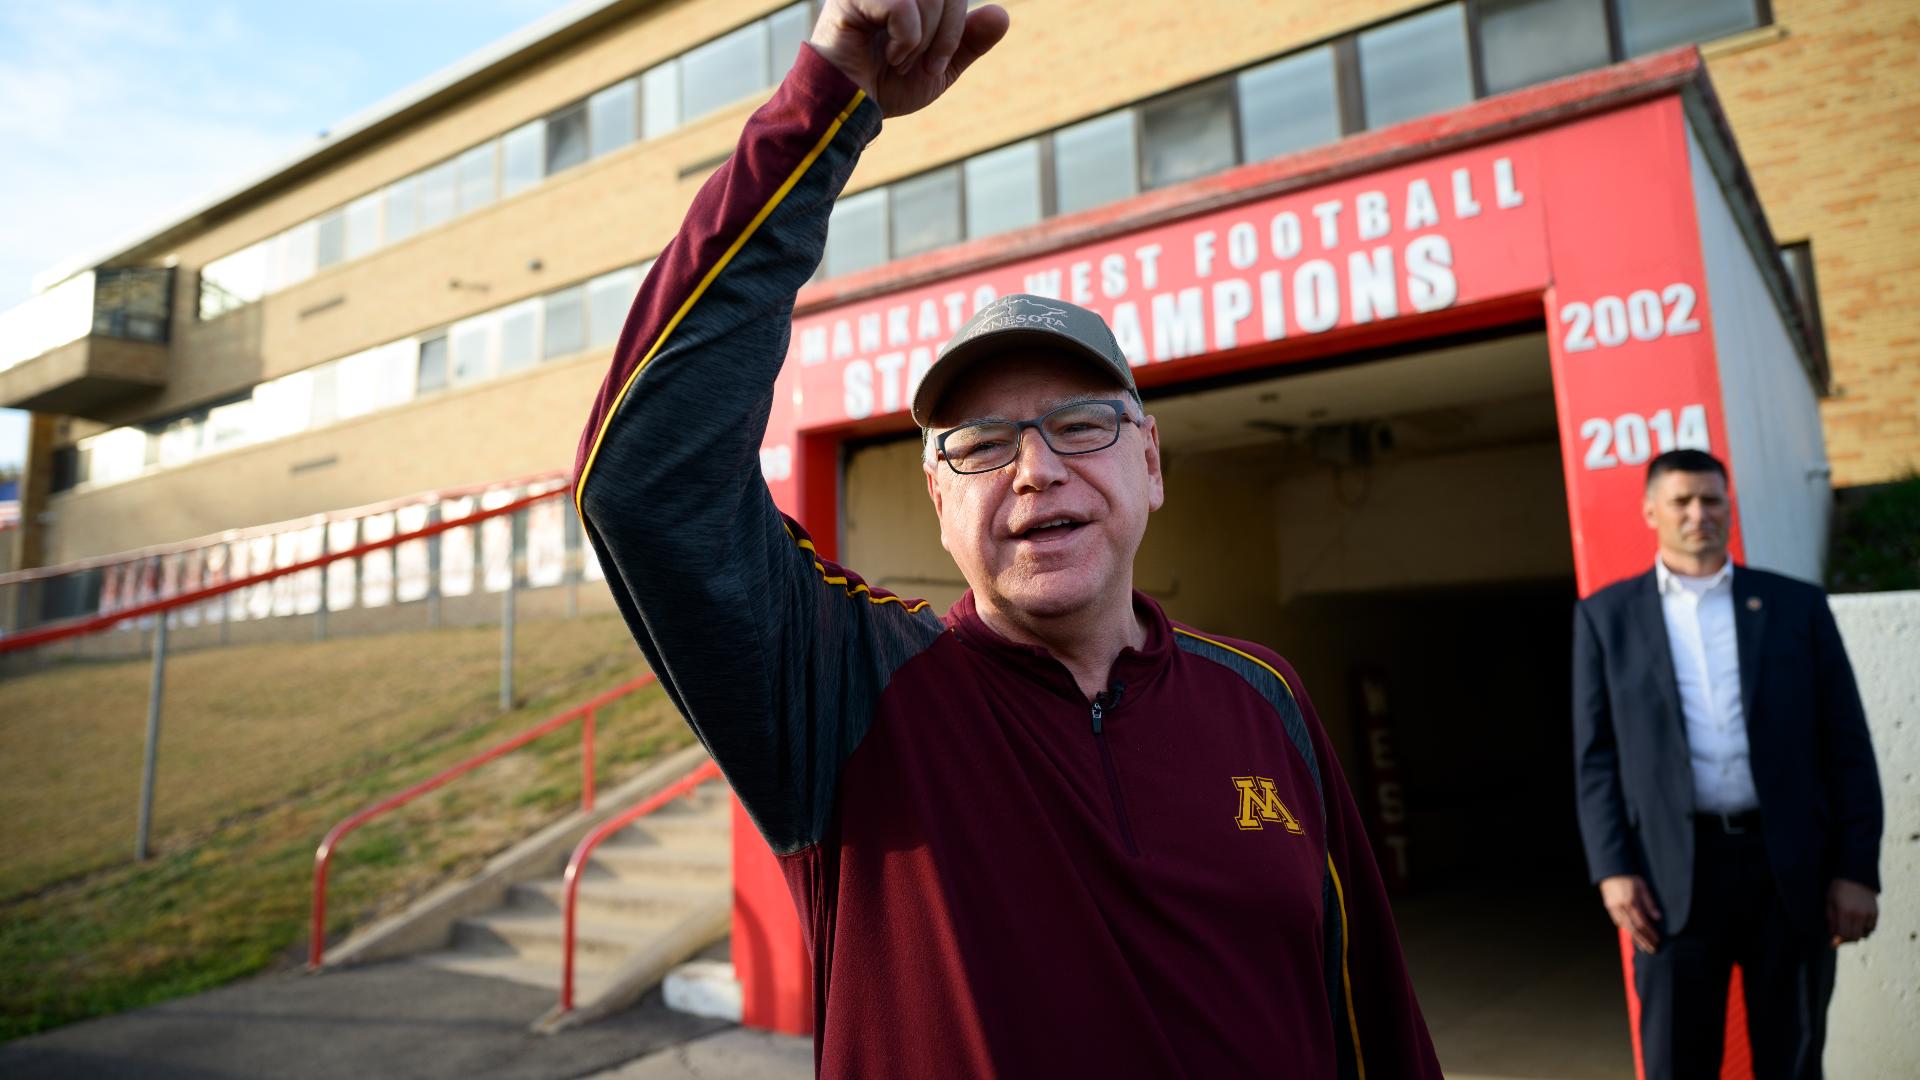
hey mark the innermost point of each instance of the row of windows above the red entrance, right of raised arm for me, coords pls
(1401, 70)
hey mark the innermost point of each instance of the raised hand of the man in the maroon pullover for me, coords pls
(905, 53)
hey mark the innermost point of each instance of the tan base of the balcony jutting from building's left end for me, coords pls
(89, 378)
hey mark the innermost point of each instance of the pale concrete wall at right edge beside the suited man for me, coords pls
(1875, 1025)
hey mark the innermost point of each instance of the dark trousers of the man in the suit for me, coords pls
(1737, 918)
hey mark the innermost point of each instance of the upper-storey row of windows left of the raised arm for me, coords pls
(646, 107)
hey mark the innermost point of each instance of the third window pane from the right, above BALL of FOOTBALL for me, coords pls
(1416, 66)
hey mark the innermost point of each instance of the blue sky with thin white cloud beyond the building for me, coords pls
(118, 116)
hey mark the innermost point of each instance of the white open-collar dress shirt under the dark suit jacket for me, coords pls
(1700, 631)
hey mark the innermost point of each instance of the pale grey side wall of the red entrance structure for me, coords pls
(1773, 418)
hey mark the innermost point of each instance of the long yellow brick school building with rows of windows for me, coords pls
(516, 178)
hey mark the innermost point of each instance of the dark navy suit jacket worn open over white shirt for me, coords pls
(1813, 764)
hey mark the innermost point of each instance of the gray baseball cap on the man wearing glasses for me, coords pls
(1022, 322)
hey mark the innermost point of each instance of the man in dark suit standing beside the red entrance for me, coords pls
(1729, 797)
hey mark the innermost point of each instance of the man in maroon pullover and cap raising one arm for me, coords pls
(1053, 831)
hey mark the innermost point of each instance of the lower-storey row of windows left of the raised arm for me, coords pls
(473, 351)
